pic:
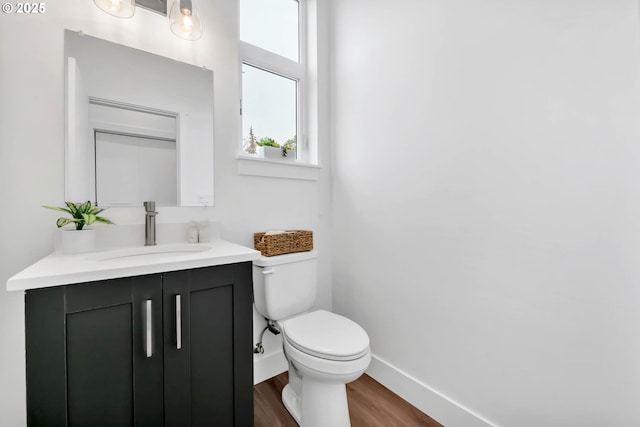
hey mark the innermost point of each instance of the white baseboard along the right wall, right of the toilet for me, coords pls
(431, 402)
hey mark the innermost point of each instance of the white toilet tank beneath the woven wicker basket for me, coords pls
(285, 285)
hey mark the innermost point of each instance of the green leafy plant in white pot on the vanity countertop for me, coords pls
(78, 239)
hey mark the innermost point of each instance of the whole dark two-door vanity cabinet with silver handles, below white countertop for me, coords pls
(165, 349)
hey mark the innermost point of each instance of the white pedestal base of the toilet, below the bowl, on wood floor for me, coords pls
(324, 404)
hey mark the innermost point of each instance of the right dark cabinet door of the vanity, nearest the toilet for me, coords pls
(207, 347)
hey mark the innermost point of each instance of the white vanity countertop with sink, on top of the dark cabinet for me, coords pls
(64, 269)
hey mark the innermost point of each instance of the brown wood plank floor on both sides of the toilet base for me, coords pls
(370, 405)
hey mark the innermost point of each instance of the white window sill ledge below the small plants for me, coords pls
(257, 166)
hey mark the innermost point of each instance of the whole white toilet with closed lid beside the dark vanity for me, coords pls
(325, 351)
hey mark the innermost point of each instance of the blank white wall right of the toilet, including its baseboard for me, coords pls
(486, 203)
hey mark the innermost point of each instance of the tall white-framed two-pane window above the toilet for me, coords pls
(272, 41)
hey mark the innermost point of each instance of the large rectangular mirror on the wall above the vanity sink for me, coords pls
(138, 126)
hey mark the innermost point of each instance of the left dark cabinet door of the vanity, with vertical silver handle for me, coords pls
(94, 354)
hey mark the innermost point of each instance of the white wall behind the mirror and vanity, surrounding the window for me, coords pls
(32, 152)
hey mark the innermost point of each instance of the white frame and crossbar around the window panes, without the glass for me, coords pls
(266, 60)
